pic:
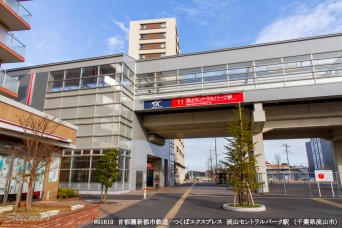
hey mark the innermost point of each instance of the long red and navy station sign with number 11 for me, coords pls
(195, 101)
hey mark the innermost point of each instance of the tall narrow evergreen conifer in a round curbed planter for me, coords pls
(240, 164)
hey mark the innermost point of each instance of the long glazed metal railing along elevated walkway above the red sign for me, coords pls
(230, 78)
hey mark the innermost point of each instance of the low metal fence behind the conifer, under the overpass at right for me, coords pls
(303, 185)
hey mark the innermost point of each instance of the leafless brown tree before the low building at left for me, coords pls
(37, 150)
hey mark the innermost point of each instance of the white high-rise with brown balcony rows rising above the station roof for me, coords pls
(153, 38)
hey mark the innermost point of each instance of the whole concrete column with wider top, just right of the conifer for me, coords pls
(258, 120)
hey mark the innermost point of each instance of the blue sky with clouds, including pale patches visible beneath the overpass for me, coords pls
(69, 29)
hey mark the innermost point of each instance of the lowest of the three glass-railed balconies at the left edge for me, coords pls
(8, 85)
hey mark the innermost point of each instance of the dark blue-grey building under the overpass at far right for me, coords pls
(320, 155)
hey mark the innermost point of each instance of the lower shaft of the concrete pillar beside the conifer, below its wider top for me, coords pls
(258, 139)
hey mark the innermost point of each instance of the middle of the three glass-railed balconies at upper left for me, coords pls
(11, 49)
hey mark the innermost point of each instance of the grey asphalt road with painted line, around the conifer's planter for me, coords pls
(205, 200)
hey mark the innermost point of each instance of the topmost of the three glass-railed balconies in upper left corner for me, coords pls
(14, 16)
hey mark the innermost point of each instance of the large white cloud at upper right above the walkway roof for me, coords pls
(303, 21)
